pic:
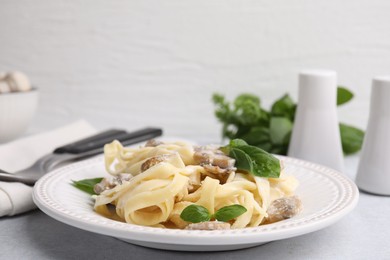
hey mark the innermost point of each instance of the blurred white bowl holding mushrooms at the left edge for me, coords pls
(17, 109)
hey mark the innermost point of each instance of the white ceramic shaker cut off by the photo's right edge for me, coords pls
(374, 167)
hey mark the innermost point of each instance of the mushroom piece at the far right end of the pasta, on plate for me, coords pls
(283, 208)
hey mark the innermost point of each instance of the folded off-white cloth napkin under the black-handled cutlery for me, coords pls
(16, 197)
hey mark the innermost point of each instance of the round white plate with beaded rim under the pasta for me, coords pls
(326, 196)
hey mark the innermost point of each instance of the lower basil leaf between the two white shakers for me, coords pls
(351, 138)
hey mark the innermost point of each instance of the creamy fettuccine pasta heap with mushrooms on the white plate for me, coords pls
(165, 178)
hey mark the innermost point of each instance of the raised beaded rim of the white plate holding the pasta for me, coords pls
(252, 235)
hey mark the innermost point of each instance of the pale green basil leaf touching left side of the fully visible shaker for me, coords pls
(280, 128)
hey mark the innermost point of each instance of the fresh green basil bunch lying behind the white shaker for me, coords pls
(270, 130)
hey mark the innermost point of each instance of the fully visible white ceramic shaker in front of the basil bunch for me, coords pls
(316, 135)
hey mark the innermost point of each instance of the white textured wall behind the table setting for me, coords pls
(135, 63)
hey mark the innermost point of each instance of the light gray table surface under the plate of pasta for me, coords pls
(362, 234)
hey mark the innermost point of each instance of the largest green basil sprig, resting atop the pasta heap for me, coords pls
(253, 159)
